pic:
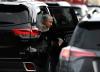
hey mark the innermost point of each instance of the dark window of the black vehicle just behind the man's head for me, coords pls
(62, 15)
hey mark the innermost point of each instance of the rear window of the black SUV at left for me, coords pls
(13, 14)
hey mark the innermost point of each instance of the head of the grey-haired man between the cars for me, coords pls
(47, 20)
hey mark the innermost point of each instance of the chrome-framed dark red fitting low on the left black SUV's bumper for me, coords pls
(29, 66)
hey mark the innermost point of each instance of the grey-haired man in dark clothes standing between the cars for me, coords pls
(50, 44)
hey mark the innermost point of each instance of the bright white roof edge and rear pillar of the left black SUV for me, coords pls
(33, 7)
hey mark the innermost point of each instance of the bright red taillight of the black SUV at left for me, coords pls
(26, 33)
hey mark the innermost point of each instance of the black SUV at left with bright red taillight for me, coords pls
(17, 33)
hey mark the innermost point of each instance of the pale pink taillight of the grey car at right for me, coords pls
(75, 52)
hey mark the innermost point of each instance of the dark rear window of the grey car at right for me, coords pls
(87, 36)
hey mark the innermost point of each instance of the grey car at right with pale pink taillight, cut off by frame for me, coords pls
(83, 53)
